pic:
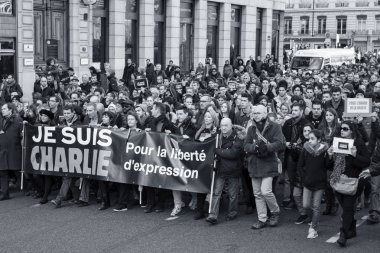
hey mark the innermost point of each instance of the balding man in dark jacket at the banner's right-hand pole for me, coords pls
(228, 169)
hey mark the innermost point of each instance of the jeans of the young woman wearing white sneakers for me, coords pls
(312, 200)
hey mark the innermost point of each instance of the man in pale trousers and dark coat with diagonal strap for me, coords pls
(264, 140)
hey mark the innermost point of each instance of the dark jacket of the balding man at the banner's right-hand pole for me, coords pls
(230, 156)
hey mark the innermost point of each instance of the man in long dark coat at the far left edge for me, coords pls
(10, 145)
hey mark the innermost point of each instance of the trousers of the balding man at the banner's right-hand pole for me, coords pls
(233, 191)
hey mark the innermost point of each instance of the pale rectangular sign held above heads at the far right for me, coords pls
(358, 106)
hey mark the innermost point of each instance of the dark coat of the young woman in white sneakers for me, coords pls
(312, 167)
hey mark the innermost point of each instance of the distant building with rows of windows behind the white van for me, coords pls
(332, 23)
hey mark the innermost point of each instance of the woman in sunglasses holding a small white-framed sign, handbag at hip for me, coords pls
(350, 165)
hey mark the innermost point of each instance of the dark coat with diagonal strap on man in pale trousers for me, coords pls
(264, 166)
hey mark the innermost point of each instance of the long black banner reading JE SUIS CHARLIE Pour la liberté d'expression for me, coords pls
(143, 158)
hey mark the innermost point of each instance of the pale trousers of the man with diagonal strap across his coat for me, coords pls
(262, 189)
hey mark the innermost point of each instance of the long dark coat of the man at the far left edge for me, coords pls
(10, 143)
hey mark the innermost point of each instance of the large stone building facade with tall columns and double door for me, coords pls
(84, 33)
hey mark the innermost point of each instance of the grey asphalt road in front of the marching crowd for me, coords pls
(26, 227)
